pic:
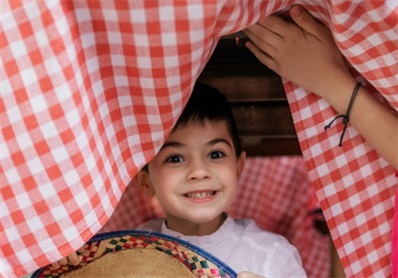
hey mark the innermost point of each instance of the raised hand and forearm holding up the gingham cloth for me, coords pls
(306, 54)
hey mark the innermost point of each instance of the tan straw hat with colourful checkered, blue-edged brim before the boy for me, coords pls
(140, 254)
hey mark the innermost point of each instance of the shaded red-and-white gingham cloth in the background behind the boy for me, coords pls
(274, 191)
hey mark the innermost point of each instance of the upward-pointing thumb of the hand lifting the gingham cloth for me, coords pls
(305, 20)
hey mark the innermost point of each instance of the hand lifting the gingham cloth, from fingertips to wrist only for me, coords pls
(304, 53)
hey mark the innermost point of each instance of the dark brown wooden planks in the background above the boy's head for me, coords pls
(257, 98)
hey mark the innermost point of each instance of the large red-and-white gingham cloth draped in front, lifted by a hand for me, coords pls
(90, 89)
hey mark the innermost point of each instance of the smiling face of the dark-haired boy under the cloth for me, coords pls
(195, 174)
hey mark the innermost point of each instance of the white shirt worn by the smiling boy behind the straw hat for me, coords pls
(243, 246)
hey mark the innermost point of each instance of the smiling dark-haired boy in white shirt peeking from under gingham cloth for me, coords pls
(195, 178)
